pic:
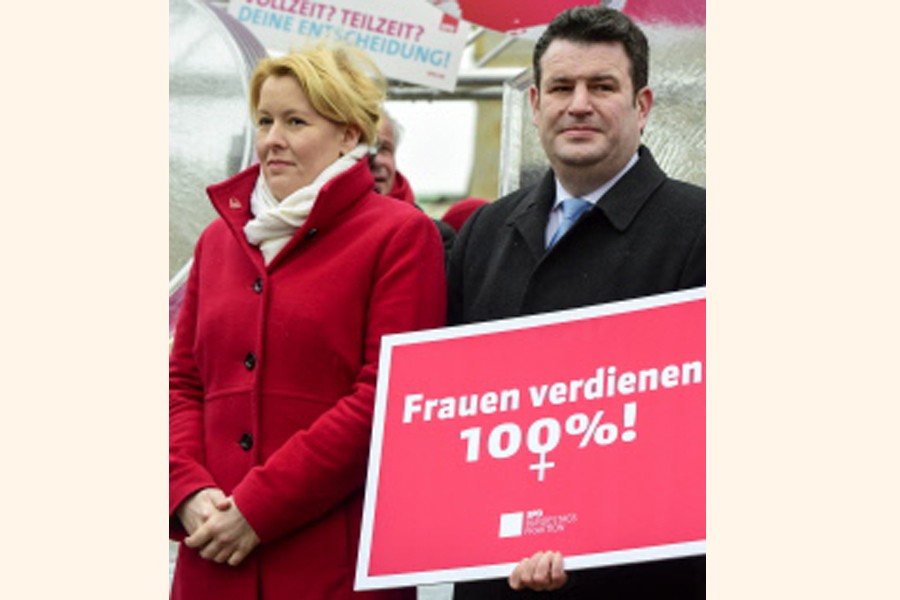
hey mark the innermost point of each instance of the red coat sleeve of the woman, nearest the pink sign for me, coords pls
(318, 468)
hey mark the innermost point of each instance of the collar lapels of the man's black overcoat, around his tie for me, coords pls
(620, 204)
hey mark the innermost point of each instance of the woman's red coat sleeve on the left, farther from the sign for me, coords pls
(187, 472)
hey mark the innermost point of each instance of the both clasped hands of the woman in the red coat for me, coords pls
(216, 527)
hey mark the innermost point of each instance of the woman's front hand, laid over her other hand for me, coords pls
(225, 536)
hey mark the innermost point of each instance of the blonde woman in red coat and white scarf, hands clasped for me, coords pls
(273, 366)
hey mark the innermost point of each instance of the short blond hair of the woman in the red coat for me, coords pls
(341, 83)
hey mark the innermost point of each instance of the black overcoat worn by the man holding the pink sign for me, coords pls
(646, 235)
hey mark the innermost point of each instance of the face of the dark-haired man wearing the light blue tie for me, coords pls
(586, 112)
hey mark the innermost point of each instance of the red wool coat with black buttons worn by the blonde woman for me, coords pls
(272, 376)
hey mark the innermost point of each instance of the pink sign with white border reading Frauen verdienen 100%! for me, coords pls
(581, 431)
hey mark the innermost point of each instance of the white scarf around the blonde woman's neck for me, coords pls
(275, 222)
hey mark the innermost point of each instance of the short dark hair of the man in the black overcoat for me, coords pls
(593, 24)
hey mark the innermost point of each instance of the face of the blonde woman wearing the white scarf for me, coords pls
(294, 142)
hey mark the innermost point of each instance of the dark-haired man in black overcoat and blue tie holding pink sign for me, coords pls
(639, 233)
